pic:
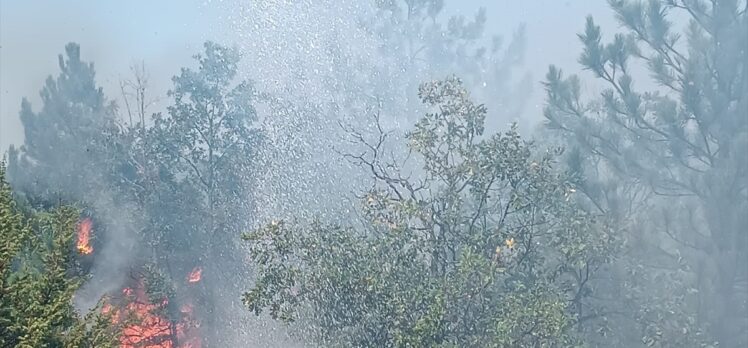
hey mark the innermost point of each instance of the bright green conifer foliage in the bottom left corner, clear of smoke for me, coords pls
(38, 278)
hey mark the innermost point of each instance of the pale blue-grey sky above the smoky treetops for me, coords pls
(165, 34)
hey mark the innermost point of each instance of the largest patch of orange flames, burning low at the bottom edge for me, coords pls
(146, 324)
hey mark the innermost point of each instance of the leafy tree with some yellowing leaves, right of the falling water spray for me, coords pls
(481, 246)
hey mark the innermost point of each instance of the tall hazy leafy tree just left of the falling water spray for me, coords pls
(204, 145)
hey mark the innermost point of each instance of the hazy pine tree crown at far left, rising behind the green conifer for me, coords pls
(70, 143)
